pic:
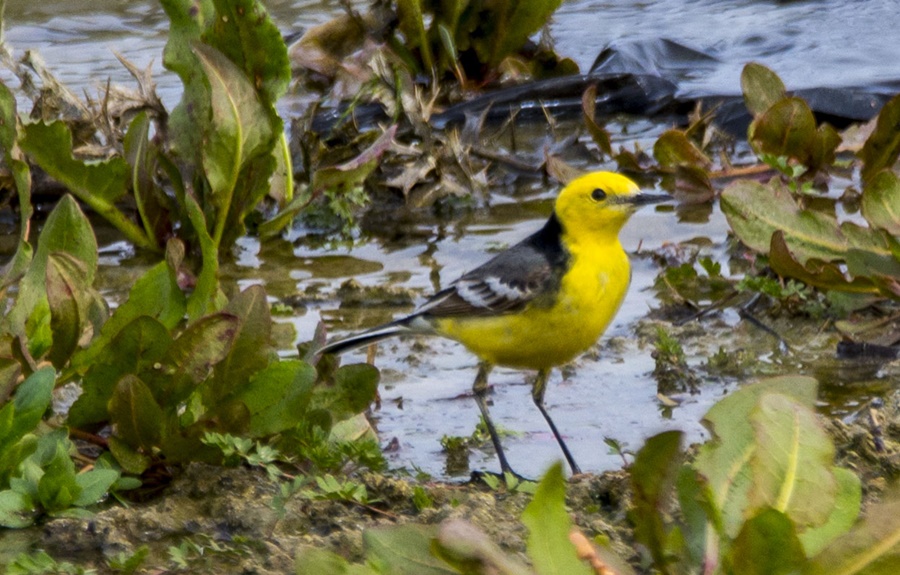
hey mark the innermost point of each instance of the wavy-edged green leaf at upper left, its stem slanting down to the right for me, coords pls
(98, 184)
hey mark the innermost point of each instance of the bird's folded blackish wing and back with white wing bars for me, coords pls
(508, 282)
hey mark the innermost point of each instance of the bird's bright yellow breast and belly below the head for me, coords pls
(543, 336)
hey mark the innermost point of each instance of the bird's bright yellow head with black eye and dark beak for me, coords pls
(598, 204)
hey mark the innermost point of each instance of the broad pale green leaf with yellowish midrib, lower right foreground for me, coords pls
(792, 462)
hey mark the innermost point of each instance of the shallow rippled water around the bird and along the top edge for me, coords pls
(609, 393)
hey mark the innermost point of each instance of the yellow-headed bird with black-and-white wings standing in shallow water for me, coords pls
(540, 303)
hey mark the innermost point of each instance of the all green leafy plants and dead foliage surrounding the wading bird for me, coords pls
(185, 371)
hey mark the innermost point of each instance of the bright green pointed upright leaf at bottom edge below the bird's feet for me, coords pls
(549, 548)
